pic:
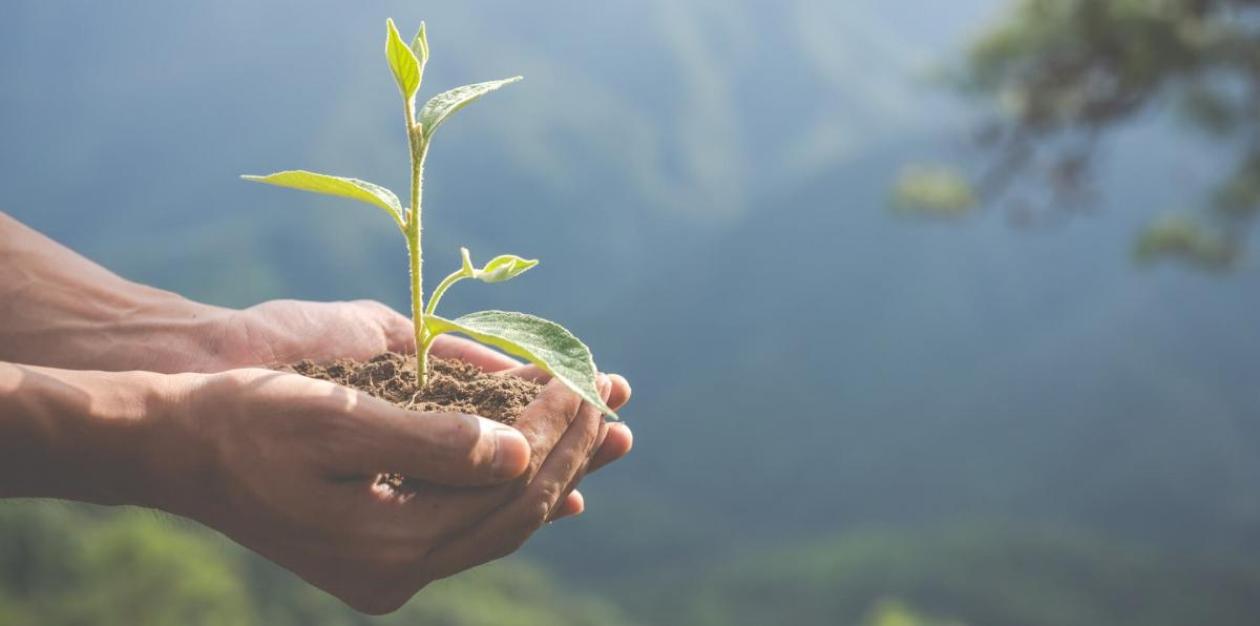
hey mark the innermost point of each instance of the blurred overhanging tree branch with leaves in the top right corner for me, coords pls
(1062, 75)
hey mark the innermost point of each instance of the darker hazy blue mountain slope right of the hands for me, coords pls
(835, 367)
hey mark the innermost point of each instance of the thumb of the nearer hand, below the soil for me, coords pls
(450, 449)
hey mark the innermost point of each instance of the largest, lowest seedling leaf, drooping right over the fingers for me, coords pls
(540, 342)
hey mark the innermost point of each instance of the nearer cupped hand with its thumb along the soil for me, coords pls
(288, 467)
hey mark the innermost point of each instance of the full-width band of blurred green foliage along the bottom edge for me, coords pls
(69, 565)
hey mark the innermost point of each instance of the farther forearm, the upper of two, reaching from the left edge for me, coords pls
(62, 310)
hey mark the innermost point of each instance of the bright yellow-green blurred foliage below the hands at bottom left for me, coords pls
(66, 565)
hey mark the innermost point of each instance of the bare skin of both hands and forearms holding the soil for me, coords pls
(129, 395)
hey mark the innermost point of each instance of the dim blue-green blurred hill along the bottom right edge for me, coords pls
(976, 575)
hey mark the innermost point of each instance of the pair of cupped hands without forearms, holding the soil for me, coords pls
(295, 462)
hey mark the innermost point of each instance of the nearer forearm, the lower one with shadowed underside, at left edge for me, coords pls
(89, 436)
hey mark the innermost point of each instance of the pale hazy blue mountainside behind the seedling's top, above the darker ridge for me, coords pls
(641, 128)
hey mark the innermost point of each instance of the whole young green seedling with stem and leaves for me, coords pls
(541, 342)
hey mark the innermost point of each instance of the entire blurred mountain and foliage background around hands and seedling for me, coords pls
(937, 313)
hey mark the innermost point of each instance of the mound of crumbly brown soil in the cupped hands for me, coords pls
(454, 386)
